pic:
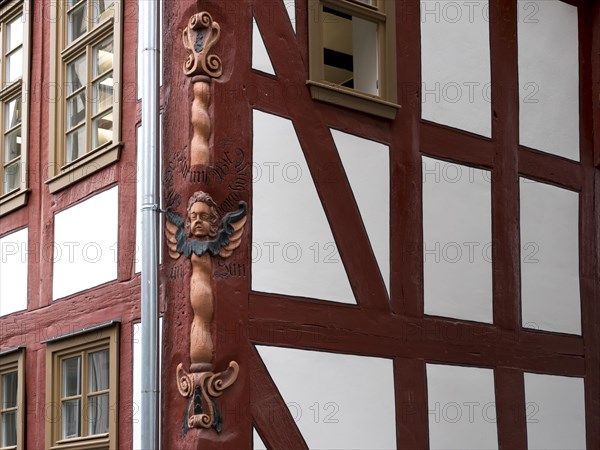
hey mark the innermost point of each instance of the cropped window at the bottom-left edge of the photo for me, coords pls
(12, 400)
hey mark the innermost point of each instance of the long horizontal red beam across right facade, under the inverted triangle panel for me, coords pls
(296, 323)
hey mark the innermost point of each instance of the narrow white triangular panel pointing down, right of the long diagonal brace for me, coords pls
(367, 166)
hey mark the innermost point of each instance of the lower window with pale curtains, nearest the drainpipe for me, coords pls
(82, 387)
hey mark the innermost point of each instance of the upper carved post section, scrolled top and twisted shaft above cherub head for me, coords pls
(201, 34)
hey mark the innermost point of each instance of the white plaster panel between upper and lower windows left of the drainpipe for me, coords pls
(85, 244)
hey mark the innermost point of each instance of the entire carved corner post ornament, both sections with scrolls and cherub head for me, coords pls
(201, 385)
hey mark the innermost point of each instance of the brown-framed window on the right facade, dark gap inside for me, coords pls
(352, 54)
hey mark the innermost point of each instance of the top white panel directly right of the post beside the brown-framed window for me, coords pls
(455, 64)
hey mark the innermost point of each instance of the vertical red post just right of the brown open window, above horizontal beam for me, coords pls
(406, 238)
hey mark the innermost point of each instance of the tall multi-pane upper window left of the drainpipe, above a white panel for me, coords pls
(85, 120)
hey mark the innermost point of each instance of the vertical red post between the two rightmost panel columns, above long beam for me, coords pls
(505, 180)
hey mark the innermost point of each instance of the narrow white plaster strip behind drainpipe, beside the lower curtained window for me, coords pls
(136, 399)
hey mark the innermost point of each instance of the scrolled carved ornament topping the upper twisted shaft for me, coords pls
(201, 34)
